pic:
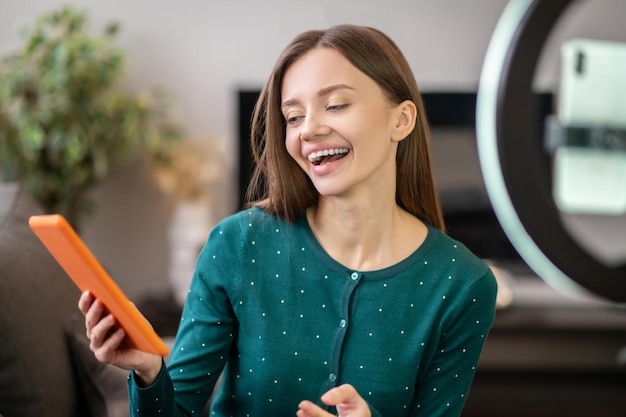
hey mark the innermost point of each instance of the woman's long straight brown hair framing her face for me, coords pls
(281, 187)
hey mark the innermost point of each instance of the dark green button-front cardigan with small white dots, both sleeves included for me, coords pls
(285, 322)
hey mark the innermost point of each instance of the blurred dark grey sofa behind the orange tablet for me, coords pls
(46, 368)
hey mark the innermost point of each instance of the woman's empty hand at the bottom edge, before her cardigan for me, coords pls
(344, 397)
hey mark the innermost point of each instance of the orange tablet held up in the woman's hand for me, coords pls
(84, 269)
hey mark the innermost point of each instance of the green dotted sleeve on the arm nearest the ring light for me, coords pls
(445, 384)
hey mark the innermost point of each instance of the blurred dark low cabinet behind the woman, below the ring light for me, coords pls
(551, 355)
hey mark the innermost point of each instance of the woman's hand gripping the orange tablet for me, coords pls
(106, 341)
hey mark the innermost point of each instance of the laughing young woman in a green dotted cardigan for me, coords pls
(337, 292)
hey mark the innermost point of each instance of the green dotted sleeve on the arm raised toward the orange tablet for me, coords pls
(205, 335)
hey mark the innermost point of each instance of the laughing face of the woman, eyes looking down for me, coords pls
(340, 127)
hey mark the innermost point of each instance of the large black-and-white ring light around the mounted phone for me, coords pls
(514, 163)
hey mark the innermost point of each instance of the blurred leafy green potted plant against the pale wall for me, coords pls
(65, 123)
